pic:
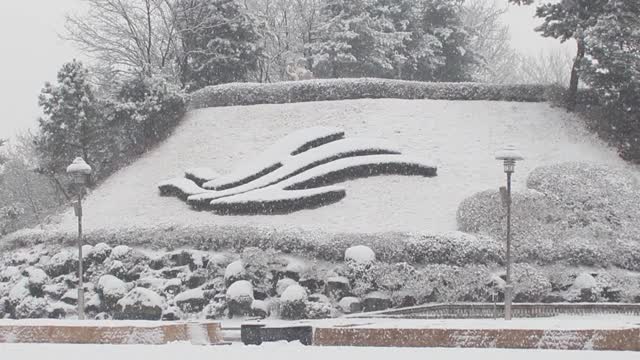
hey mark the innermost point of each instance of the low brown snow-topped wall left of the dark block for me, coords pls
(129, 333)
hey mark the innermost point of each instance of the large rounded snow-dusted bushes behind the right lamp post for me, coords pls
(581, 214)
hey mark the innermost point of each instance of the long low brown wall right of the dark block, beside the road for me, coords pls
(622, 339)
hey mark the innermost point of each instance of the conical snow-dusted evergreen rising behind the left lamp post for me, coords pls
(70, 125)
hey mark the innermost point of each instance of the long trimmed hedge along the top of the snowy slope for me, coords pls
(346, 89)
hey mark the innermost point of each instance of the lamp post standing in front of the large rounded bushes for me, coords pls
(509, 155)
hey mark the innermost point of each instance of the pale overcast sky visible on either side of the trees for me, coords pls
(32, 52)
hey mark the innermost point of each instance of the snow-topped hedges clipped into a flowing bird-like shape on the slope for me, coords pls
(294, 174)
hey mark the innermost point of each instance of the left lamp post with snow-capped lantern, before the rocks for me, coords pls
(79, 170)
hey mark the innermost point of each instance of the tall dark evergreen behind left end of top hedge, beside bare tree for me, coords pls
(219, 42)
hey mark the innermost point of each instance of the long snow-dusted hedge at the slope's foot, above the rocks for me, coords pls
(454, 248)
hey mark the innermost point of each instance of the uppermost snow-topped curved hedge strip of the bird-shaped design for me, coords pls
(271, 159)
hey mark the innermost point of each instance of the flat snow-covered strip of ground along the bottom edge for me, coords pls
(285, 351)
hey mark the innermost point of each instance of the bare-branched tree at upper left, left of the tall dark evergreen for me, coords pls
(132, 36)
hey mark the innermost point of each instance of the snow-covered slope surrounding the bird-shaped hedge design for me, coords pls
(460, 136)
